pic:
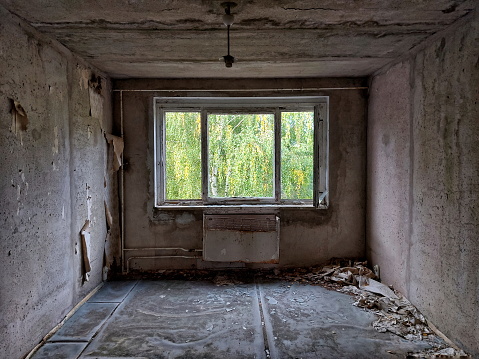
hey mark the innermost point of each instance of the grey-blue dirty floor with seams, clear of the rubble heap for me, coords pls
(198, 319)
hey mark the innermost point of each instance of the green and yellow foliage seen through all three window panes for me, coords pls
(240, 155)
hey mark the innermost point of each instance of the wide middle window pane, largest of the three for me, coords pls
(240, 155)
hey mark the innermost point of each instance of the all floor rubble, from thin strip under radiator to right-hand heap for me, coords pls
(395, 313)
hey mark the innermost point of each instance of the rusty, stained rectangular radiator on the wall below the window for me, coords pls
(241, 238)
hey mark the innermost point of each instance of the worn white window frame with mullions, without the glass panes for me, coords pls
(276, 105)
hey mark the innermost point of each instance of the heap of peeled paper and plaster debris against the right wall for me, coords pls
(395, 313)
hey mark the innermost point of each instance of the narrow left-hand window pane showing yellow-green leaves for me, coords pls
(183, 155)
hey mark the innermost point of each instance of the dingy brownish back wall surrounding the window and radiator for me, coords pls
(308, 236)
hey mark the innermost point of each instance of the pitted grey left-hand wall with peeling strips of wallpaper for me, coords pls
(48, 169)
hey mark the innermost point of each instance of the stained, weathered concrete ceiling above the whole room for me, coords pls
(181, 38)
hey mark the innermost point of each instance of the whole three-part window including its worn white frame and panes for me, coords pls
(241, 151)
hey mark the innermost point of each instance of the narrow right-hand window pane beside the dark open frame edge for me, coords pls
(297, 136)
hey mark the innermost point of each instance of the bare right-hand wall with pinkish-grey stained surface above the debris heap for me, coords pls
(423, 180)
